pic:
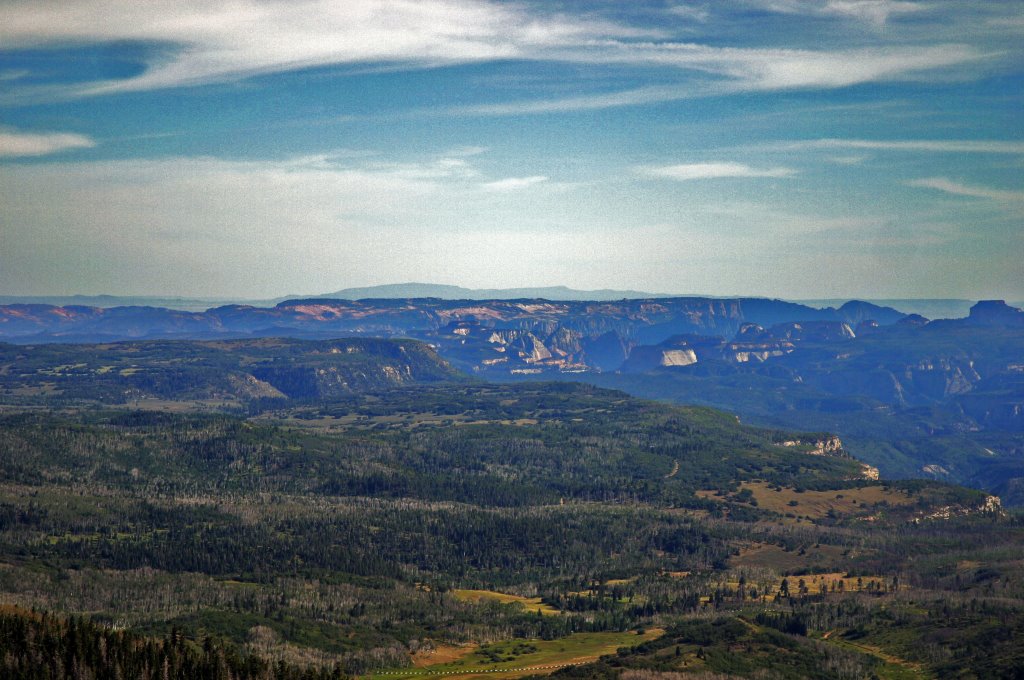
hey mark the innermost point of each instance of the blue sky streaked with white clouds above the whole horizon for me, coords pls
(253, 149)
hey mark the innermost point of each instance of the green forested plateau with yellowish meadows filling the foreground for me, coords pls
(370, 530)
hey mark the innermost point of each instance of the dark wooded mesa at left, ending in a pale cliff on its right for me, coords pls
(230, 371)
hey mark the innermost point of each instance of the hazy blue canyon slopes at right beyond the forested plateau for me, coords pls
(944, 400)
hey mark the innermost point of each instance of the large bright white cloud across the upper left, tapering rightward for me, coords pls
(218, 41)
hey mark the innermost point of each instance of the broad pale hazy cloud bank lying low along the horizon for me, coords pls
(261, 229)
